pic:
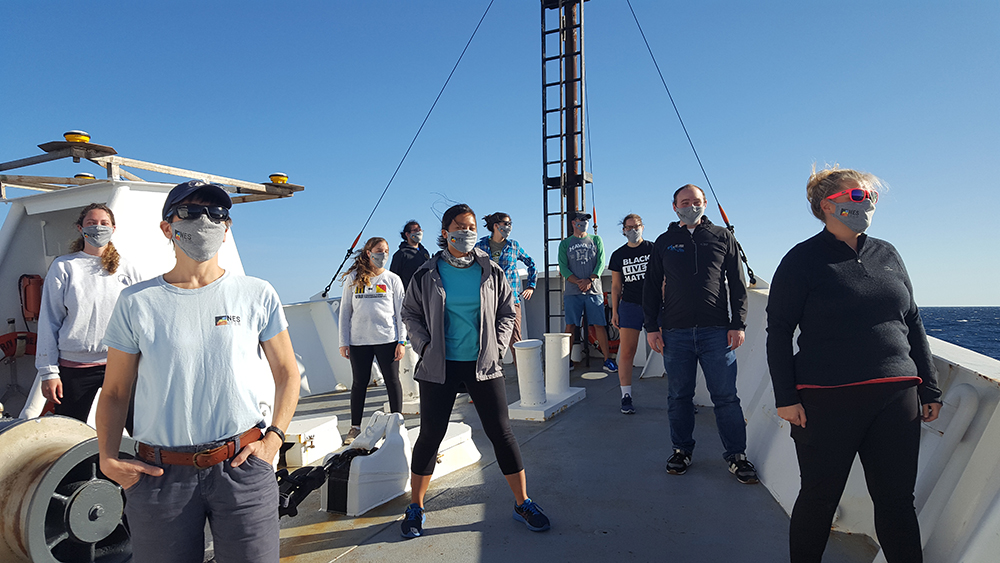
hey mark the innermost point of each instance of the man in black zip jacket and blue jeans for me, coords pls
(686, 295)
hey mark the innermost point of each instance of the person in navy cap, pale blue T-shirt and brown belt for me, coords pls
(194, 342)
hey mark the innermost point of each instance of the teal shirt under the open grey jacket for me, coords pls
(461, 311)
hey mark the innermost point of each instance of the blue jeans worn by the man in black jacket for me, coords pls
(684, 348)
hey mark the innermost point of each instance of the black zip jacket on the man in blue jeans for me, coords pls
(696, 267)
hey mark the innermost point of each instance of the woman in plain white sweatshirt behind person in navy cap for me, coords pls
(78, 297)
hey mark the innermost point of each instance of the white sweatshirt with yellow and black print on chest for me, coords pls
(372, 315)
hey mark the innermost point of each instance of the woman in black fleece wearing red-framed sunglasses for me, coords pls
(862, 379)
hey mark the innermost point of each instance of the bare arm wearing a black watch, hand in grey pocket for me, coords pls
(285, 370)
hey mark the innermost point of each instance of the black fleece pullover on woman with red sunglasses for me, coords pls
(856, 314)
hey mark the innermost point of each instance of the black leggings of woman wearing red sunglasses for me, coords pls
(881, 423)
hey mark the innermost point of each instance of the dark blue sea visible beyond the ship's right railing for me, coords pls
(975, 328)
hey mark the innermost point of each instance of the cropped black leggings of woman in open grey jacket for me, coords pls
(490, 400)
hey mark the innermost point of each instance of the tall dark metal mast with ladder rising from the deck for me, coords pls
(564, 173)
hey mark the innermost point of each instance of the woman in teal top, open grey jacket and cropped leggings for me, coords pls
(459, 314)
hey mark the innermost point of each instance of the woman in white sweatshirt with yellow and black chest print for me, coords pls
(371, 327)
